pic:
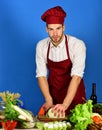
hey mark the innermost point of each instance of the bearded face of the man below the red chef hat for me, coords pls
(56, 33)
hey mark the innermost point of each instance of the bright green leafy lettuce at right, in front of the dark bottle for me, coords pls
(81, 115)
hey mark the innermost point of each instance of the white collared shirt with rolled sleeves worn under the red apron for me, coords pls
(77, 52)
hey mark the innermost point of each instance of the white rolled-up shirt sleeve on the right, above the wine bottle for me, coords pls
(78, 59)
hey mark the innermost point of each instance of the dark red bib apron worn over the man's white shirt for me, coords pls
(59, 79)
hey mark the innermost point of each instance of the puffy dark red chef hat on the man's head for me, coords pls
(54, 15)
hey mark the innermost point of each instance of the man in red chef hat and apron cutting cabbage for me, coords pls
(60, 61)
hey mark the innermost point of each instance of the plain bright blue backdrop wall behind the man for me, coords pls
(20, 30)
